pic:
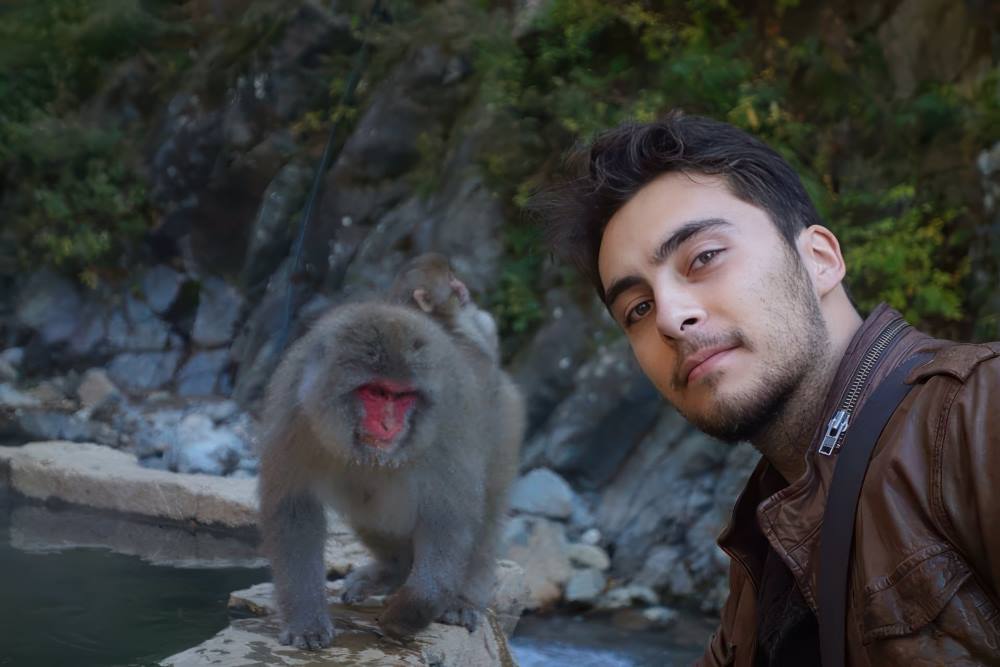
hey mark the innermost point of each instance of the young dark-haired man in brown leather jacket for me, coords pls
(707, 251)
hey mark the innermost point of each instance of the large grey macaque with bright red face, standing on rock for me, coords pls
(381, 414)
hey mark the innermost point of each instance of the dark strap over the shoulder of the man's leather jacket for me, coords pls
(837, 532)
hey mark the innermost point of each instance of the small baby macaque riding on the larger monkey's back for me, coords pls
(428, 282)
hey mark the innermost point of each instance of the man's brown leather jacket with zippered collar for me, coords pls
(925, 575)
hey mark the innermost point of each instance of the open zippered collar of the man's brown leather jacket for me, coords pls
(788, 516)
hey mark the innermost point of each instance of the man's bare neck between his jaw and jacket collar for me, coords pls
(787, 438)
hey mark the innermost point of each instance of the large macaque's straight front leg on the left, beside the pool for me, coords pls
(295, 532)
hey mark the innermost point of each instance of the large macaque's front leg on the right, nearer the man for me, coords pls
(443, 544)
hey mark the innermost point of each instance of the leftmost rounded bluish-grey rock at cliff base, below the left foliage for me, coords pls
(49, 304)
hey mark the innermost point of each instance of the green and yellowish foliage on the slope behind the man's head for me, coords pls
(889, 174)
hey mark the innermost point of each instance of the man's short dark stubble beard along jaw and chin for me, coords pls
(747, 414)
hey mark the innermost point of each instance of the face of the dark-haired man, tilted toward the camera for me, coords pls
(719, 310)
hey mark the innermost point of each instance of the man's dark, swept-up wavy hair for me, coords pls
(621, 161)
